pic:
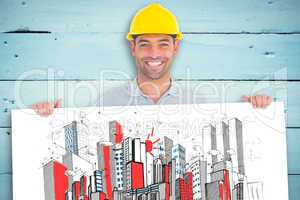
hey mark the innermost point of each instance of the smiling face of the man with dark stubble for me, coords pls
(154, 54)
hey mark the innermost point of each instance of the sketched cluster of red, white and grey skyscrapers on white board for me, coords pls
(151, 168)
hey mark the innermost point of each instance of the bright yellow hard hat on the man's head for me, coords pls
(154, 19)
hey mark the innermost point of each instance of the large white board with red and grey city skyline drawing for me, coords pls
(199, 152)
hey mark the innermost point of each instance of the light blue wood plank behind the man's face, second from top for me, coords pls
(87, 55)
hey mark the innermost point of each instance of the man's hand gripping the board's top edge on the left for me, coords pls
(45, 109)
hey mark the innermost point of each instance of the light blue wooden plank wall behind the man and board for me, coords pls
(77, 49)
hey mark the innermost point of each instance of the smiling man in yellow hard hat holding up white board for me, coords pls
(154, 39)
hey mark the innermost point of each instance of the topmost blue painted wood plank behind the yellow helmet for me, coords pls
(114, 16)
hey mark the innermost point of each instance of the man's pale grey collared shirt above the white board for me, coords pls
(129, 94)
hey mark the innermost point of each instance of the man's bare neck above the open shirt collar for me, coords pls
(154, 88)
